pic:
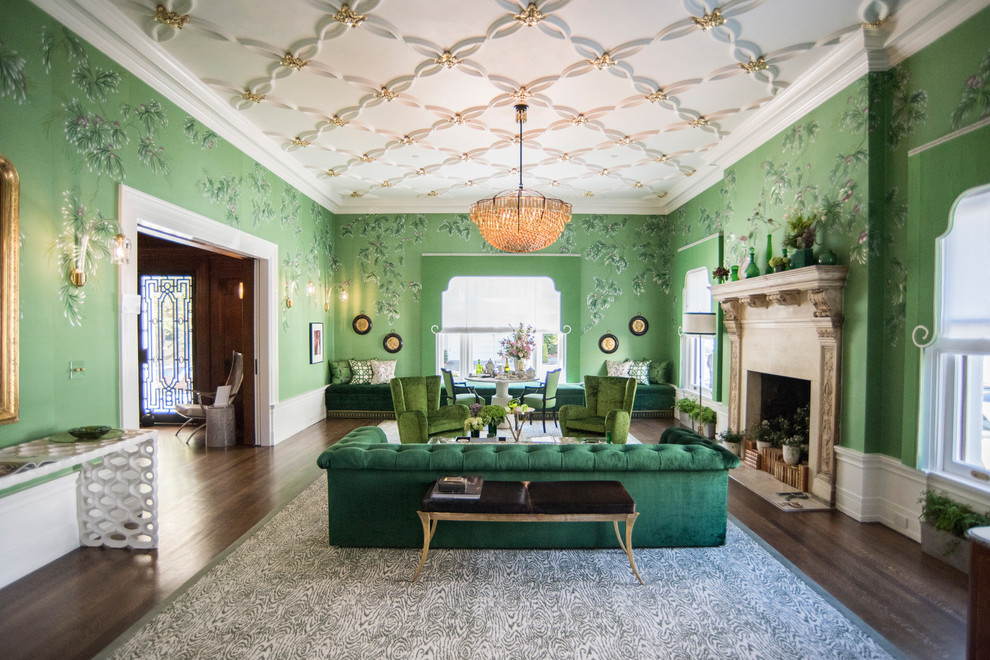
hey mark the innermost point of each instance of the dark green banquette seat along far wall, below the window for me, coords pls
(375, 401)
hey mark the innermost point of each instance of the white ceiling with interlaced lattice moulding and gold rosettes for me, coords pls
(407, 104)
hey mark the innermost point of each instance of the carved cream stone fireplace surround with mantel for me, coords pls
(789, 324)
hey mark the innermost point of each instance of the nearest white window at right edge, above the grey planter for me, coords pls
(955, 399)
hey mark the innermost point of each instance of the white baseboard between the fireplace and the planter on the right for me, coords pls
(879, 488)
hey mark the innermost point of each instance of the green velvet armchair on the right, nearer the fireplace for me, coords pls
(607, 409)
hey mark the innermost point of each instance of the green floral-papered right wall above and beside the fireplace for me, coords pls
(850, 157)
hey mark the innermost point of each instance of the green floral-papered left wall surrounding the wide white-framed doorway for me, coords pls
(75, 124)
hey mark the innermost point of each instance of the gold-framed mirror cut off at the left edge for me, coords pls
(10, 241)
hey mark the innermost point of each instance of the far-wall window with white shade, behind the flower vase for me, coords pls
(477, 313)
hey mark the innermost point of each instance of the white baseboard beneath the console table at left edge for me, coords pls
(39, 525)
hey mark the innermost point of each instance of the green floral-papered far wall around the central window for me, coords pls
(624, 272)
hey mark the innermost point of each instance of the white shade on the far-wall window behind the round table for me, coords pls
(492, 304)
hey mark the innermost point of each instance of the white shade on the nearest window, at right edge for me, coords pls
(964, 295)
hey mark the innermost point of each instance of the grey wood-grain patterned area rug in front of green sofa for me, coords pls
(282, 592)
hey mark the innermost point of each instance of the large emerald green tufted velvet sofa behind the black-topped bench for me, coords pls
(374, 489)
